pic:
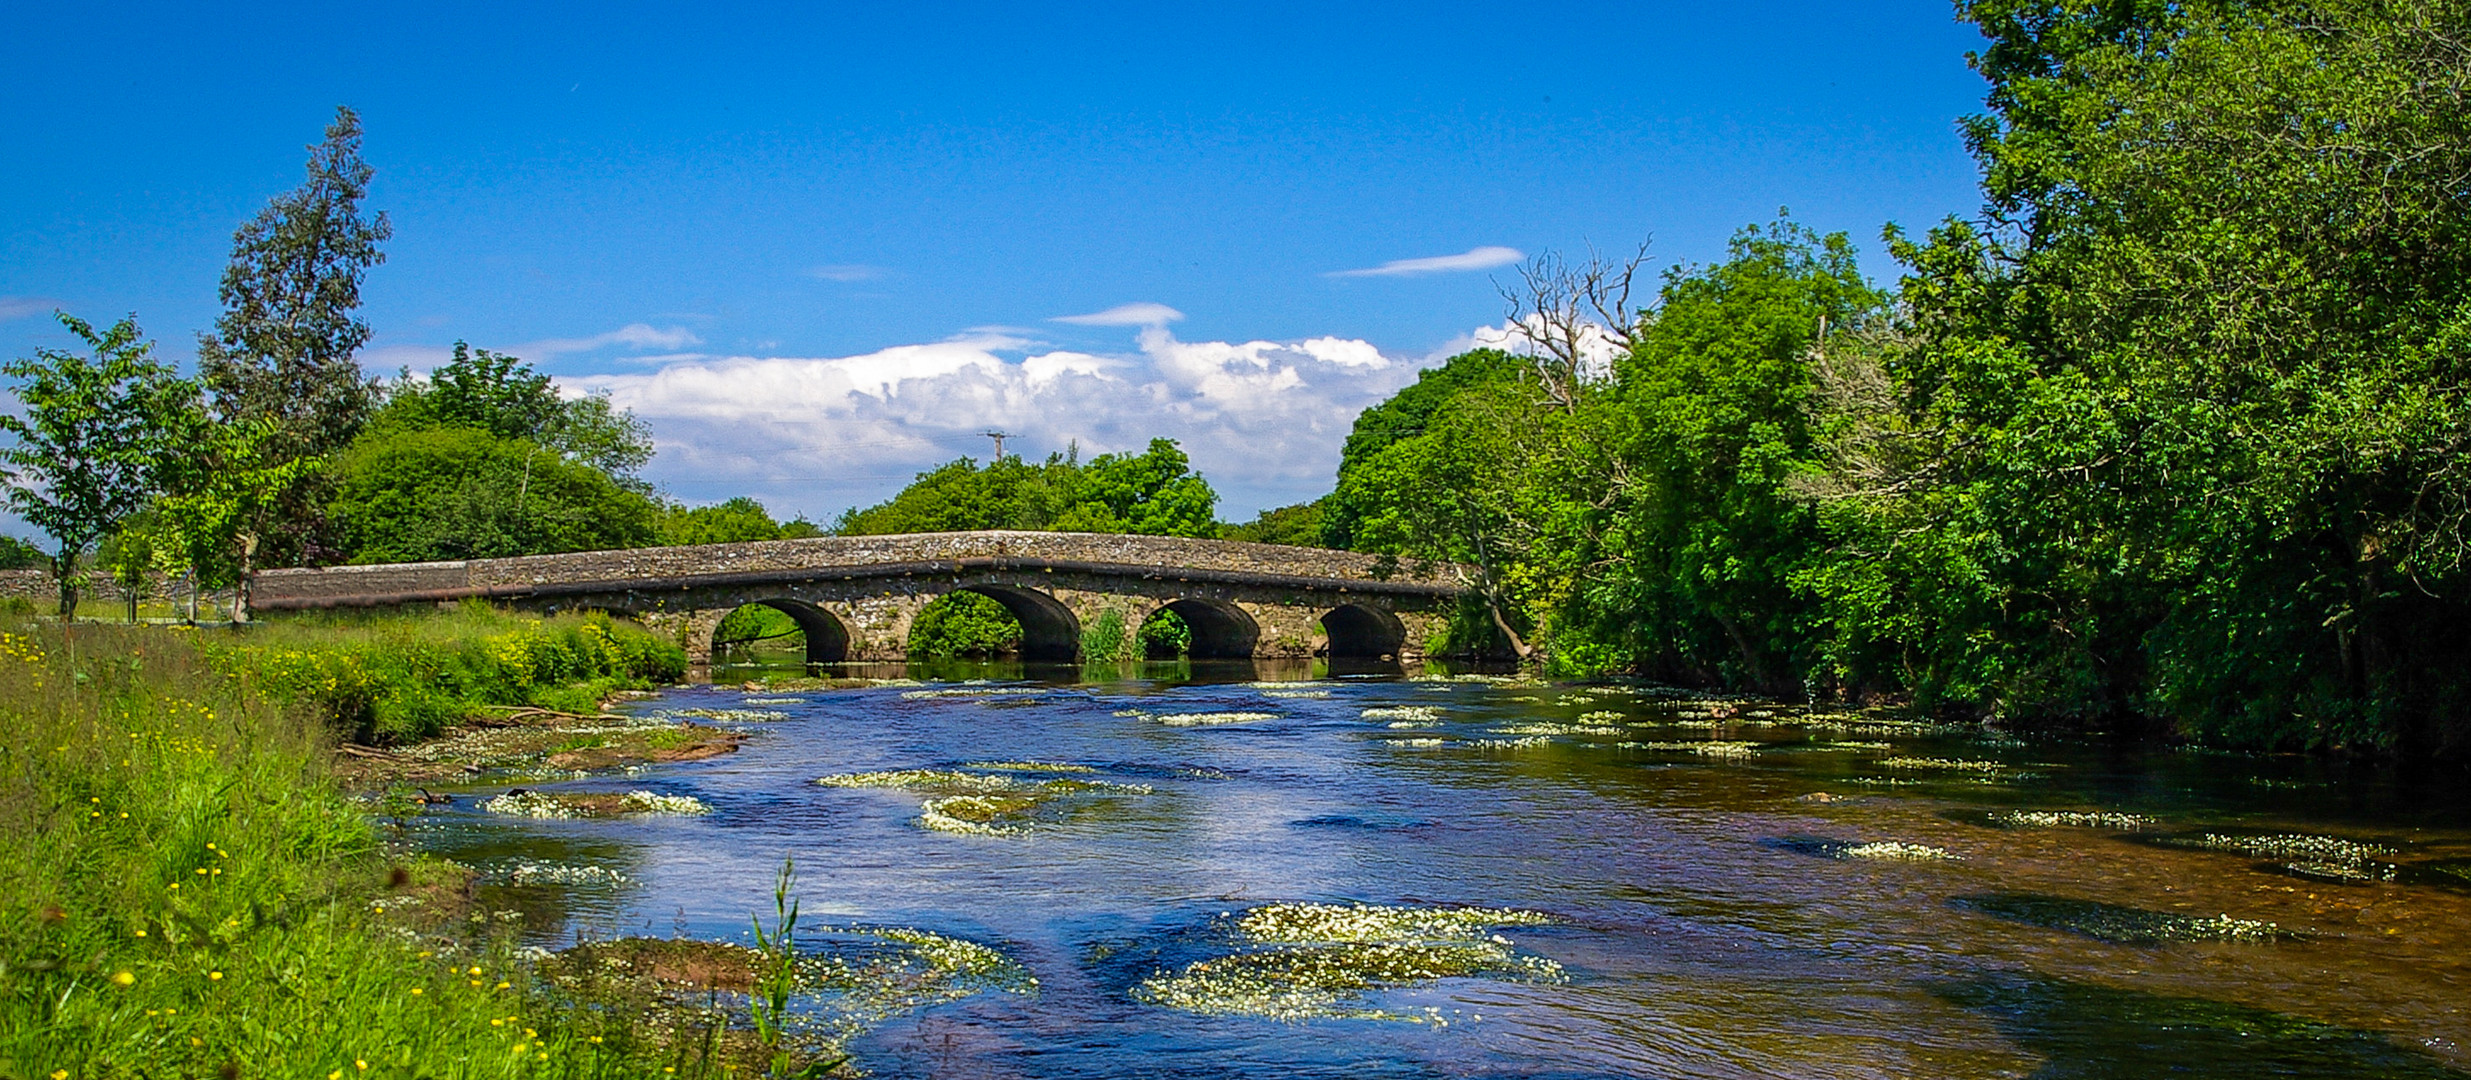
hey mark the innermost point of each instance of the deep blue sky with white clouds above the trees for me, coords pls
(819, 248)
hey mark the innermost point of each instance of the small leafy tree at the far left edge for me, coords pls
(90, 439)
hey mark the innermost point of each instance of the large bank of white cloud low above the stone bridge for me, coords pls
(1261, 419)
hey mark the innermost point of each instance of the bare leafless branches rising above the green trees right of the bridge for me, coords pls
(1570, 310)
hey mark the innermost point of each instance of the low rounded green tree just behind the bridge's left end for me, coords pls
(461, 493)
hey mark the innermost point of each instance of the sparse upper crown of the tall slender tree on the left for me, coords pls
(288, 335)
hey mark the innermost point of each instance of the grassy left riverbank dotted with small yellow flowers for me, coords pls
(192, 893)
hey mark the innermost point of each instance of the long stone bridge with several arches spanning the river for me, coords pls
(856, 597)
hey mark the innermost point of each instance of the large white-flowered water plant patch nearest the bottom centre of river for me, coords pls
(1311, 963)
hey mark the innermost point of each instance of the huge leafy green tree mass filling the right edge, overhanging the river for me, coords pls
(2176, 431)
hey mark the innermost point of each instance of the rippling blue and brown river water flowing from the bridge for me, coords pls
(1716, 888)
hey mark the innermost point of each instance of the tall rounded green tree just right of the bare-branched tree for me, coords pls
(1694, 555)
